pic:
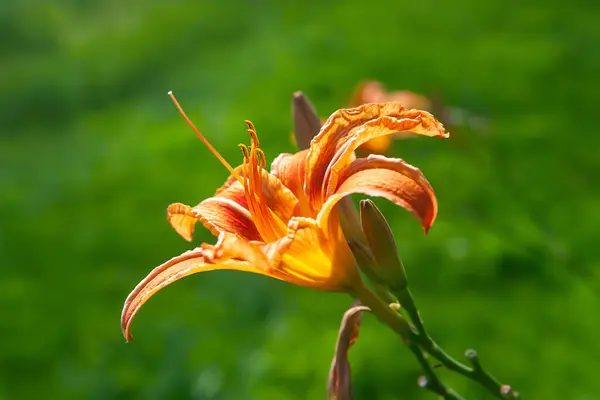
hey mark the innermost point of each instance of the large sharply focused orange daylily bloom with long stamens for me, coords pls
(282, 223)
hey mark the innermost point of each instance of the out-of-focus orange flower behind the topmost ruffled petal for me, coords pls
(375, 92)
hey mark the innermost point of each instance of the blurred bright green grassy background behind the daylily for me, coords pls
(92, 151)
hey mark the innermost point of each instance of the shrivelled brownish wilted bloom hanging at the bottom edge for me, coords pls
(339, 386)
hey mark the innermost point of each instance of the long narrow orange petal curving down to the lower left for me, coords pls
(206, 258)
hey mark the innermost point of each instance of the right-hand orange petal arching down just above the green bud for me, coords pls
(390, 178)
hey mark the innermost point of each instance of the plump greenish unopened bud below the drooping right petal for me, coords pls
(381, 241)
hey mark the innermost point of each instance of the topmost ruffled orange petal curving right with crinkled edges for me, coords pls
(347, 129)
